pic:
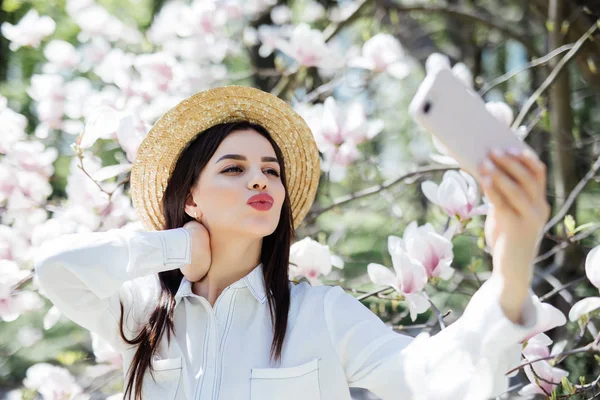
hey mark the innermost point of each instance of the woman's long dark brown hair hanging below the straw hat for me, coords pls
(275, 253)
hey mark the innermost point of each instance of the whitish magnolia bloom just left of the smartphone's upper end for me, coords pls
(383, 53)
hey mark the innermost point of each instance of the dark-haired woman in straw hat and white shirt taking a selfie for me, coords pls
(201, 307)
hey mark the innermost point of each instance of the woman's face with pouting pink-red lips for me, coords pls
(243, 166)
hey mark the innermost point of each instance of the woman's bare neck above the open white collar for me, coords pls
(231, 260)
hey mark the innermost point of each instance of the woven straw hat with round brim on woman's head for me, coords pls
(160, 149)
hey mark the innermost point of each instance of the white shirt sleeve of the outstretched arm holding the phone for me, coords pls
(467, 360)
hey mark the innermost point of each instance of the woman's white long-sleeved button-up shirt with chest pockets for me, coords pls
(333, 342)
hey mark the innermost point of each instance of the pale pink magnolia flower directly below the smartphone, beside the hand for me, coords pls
(458, 195)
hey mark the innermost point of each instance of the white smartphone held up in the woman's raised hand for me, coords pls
(457, 116)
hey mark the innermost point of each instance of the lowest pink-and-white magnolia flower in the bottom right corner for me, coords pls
(537, 347)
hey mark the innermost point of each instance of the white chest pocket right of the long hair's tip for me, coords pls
(290, 383)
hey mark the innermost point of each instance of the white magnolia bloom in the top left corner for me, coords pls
(29, 31)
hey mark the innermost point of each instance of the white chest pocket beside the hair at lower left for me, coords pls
(164, 382)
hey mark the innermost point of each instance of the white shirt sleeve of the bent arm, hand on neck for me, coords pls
(87, 275)
